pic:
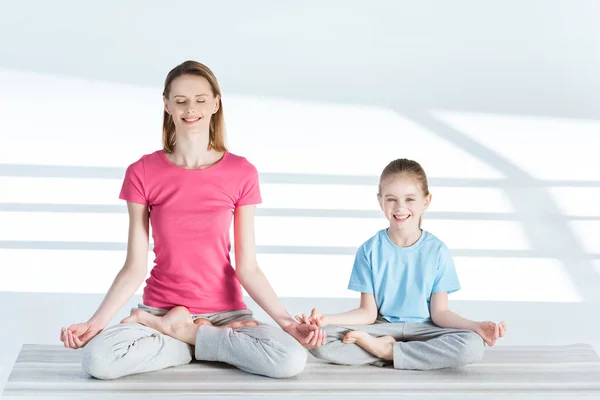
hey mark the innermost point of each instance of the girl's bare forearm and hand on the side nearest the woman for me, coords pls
(365, 314)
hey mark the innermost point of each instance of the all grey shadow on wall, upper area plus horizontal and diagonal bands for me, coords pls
(397, 55)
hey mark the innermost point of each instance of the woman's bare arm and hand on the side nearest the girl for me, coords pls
(256, 284)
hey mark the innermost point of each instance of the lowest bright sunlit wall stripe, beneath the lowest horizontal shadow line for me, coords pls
(322, 276)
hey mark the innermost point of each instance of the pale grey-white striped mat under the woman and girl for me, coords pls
(43, 370)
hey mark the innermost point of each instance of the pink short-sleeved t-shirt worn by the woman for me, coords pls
(190, 213)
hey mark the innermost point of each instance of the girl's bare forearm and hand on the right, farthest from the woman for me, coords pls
(442, 316)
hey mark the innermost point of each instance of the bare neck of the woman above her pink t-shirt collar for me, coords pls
(191, 151)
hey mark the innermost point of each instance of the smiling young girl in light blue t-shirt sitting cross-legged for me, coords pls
(404, 275)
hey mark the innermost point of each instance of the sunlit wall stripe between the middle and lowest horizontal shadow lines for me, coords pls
(291, 231)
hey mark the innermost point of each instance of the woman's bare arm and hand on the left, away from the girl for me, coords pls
(129, 278)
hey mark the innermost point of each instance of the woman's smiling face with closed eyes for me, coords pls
(191, 104)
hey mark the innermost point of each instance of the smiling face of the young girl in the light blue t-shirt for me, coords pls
(403, 202)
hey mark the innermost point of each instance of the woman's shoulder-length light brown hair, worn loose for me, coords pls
(216, 139)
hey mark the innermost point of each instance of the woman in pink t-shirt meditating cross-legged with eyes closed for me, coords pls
(189, 191)
